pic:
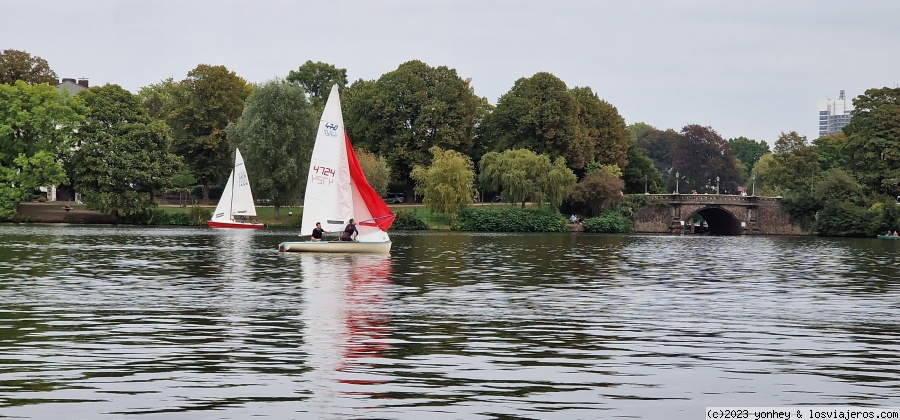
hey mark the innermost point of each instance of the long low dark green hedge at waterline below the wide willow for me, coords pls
(508, 219)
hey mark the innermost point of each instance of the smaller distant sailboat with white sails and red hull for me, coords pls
(236, 207)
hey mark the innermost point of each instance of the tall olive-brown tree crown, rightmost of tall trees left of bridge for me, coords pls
(606, 139)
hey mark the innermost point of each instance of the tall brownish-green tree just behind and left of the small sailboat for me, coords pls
(211, 97)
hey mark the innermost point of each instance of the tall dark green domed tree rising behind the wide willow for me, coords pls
(538, 114)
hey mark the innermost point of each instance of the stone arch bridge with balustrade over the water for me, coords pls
(724, 214)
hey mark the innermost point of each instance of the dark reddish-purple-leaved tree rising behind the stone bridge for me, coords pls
(704, 161)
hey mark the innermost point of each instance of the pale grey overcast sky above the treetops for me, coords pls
(744, 68)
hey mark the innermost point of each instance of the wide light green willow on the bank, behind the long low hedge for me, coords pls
(521, 175)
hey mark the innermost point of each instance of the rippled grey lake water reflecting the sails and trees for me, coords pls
(191, 323)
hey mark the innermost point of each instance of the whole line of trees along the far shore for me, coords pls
(418, 128)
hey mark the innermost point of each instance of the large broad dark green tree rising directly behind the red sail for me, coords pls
(409, 110)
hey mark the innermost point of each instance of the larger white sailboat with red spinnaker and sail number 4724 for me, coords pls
(337, 191)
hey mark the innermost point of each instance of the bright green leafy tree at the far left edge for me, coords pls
(37, 133)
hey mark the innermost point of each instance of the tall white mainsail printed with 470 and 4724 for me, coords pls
(328, 198)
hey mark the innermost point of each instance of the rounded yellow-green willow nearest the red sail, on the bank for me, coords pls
(447, 184)
